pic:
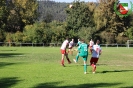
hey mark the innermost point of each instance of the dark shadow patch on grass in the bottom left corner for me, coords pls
(8, 82)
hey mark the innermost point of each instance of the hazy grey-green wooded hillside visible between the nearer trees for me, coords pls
(51, 9)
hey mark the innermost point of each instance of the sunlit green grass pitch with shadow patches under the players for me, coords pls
(39, 67)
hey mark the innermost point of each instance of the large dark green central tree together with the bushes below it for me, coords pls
(80, 20)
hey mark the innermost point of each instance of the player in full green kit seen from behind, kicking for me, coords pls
(83, 52)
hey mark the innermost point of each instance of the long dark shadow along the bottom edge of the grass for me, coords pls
(87, 85)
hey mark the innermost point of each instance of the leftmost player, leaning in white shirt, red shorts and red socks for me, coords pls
(63, 52)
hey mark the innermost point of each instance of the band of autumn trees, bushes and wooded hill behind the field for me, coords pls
(35, 21)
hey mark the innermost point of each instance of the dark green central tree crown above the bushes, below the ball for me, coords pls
(78, 16)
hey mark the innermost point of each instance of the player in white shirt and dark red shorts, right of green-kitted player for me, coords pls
(96, 52)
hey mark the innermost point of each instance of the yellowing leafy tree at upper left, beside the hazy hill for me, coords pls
(21, 13)
